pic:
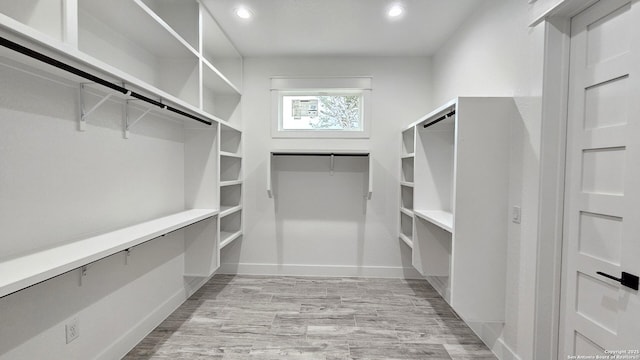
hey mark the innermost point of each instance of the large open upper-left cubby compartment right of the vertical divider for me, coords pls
(112, 32)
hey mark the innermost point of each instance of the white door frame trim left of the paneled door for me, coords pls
(555, 93)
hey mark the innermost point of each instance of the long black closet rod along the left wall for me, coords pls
(68, 68)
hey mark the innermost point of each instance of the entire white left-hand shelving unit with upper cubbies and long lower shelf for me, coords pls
(171, 53)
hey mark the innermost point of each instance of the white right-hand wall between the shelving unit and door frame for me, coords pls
(496, 54)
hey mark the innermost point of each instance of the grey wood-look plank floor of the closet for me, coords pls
(267, 317)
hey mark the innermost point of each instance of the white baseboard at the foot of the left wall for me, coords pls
(131, 338)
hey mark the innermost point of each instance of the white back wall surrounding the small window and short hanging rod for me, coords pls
(320, 223)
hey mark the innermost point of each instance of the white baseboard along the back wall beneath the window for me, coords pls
(319, 270)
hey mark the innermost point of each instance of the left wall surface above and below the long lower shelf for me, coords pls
(58, 184)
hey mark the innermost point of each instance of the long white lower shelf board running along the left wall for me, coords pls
(27, 270)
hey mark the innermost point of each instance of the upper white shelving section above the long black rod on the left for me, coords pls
(143, 45)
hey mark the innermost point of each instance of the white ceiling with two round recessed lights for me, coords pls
(340, 27)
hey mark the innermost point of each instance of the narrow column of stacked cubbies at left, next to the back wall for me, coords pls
(230, 176)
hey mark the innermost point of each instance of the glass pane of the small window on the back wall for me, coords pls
(322, 112)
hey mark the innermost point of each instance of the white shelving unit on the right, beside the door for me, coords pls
(456, 189)
